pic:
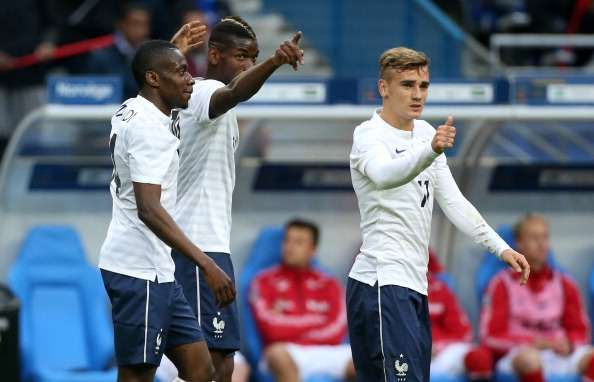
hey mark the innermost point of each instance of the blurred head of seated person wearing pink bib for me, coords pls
(532, 239)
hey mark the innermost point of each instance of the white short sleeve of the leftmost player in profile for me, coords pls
(149, 153)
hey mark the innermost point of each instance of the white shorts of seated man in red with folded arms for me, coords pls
(329, 360)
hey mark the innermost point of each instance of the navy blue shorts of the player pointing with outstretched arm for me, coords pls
(220, 327)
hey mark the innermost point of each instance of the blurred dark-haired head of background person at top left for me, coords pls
(134, 22)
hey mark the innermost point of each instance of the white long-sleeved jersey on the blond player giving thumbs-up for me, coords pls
(396, 176)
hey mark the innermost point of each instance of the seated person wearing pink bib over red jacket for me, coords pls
(539, 329)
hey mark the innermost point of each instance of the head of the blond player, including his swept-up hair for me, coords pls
(404, 81)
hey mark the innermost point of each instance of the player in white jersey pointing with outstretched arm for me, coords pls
(209, 137)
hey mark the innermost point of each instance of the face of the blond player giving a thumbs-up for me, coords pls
(405, 92)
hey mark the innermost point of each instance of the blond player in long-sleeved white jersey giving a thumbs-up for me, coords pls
(397, 169)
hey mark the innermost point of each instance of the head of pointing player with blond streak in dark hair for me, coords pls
(232, 48)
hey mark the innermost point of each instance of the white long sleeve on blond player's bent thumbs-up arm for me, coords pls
(372, 158)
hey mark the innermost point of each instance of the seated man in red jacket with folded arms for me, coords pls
(300, 312)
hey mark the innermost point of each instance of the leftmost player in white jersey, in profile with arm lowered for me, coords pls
(150, 313)
